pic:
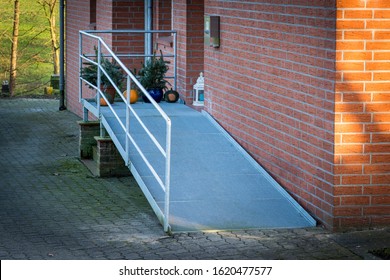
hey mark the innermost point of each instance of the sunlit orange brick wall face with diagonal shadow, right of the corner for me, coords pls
(362, 152)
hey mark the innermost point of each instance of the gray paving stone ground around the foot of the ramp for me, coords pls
(51, 207)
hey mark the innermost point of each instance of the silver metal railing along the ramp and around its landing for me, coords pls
(103, 50)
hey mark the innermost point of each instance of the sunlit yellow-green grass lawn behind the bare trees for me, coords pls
(35, 64)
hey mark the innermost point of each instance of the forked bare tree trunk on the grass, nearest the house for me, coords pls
(49, 7)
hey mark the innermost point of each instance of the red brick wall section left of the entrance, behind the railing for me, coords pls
(117, 14)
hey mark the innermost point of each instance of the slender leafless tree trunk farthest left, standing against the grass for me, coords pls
(14, 48)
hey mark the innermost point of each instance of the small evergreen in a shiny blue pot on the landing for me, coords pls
(152, 76)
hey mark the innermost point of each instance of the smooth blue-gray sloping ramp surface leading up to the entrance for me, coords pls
(215, 185)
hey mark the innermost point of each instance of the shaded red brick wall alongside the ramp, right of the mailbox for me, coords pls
(271, 85)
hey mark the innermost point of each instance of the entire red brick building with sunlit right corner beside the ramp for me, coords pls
(302, 85)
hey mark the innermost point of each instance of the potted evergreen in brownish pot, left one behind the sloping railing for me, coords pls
(90, 73)
